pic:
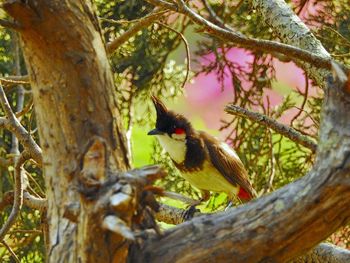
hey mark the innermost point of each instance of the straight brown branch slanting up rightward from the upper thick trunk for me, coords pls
(143, 22)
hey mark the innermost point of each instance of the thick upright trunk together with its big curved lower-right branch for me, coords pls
(95, 212)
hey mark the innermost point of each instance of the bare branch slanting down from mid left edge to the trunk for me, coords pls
(12, 123)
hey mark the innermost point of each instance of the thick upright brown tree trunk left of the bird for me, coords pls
(74, 103)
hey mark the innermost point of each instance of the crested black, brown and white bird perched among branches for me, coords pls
(207, 163)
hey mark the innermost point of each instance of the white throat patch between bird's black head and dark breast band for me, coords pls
(175, 147)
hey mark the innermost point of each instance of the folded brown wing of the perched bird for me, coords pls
(229, 166)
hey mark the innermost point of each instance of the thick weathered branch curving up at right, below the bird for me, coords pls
(276, 227)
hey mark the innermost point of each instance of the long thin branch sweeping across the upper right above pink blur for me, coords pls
(294, 53)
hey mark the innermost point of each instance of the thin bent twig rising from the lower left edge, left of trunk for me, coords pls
(18, 198)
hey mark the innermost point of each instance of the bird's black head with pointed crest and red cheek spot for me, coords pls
(168, 121)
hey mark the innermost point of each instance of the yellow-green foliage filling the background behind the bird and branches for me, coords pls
(146, 64)
